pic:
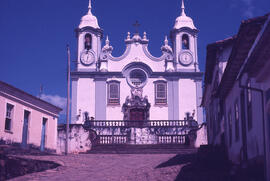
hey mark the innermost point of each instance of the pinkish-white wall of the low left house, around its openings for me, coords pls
(35, 124)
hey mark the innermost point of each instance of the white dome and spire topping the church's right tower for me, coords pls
(183, 20)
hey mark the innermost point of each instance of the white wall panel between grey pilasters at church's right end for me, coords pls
(187, 97)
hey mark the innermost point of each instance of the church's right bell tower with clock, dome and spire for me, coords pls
(184, 39)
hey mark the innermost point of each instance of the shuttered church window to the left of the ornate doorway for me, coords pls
(114, 93)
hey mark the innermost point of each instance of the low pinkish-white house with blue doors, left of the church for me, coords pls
(27, 120)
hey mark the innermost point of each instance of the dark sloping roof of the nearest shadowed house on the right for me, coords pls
(246, 36)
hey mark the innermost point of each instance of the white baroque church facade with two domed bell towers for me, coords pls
(136, 86)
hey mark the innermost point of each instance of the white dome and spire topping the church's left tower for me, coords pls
(89, 19)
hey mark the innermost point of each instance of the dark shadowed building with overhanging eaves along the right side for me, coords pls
(237, 97)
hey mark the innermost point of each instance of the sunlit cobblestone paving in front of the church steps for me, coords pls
(98, 167)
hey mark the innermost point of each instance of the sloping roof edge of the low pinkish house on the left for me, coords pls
(11, 90)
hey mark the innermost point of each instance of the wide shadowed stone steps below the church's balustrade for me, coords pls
(142, 149)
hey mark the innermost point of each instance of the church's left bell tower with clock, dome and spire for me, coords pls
(89, 36)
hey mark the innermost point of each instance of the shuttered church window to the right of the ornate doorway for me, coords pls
(161, 93)
